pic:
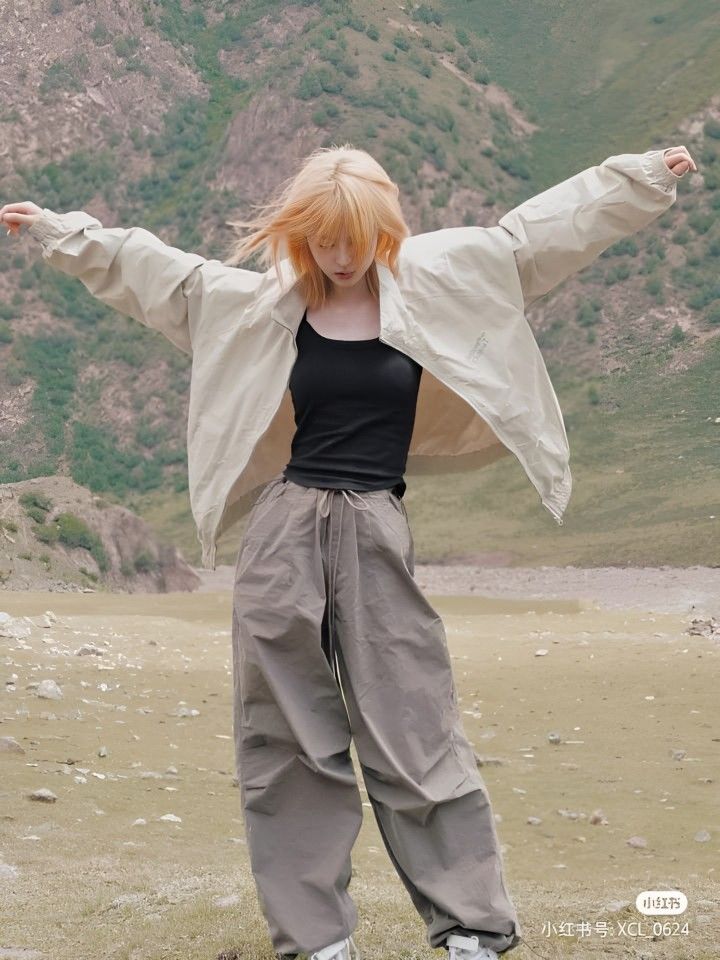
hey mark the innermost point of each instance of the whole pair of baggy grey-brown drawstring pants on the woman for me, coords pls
(324, 589)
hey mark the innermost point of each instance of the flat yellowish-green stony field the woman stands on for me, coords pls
(80, 881)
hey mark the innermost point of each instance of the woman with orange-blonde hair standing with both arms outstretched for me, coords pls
(332, 637)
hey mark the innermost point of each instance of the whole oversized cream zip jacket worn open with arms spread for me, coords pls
(457, 306)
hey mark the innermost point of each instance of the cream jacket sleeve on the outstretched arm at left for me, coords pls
(131, 270)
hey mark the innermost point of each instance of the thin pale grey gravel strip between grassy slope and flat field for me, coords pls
(662, 589)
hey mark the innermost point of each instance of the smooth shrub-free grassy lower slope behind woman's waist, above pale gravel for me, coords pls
(645, 485)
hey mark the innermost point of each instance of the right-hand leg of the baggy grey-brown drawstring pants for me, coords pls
(429, 800)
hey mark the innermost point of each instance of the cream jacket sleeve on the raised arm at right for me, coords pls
(563, 229)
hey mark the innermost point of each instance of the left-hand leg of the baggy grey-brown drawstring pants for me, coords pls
(301, 802)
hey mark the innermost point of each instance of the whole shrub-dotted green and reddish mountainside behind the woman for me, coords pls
(181, 116)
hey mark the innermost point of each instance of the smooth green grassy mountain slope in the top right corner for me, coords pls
(601, 78)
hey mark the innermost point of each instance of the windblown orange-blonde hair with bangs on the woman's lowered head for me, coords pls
(337, 189)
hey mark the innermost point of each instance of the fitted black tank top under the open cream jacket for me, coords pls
(354, 403)
